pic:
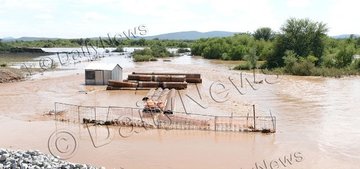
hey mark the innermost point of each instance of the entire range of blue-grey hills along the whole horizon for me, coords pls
(185, 35)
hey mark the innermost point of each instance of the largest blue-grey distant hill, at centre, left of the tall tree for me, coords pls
(191, 35)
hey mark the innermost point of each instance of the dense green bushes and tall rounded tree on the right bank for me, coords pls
(302, 47)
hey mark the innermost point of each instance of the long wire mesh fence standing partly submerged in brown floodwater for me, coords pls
(137, 117)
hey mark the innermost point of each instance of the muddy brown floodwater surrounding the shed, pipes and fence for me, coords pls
(317, 120)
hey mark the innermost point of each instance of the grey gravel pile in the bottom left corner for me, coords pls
(35, 160)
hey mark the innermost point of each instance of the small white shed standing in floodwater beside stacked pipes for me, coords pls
(100, 73)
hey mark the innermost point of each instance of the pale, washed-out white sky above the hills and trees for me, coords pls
(94, 18)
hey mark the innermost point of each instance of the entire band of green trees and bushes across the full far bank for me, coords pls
(301, 47)
